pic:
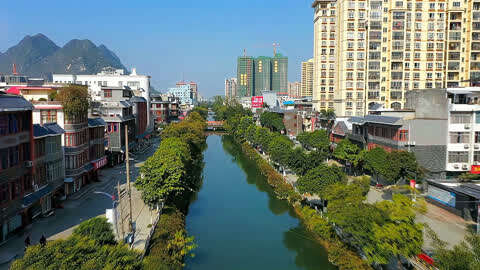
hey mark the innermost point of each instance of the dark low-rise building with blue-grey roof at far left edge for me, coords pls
(16, 161)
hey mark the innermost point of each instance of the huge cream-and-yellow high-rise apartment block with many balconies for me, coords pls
(368, 53)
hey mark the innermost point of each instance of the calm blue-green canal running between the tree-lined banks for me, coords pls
(239, 224)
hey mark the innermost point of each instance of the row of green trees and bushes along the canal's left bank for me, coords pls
(170, 177)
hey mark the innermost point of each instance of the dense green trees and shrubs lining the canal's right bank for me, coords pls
(376, 232)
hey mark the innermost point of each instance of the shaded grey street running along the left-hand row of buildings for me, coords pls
(84, 207)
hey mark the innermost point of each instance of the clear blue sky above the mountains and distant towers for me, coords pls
(171, 39)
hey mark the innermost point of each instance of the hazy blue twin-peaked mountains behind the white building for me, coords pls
(38, 56)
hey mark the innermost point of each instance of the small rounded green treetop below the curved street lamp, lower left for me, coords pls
(98, 229)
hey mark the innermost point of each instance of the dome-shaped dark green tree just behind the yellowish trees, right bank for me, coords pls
(318, 179)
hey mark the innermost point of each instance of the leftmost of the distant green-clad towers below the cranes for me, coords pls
(245, 71)
